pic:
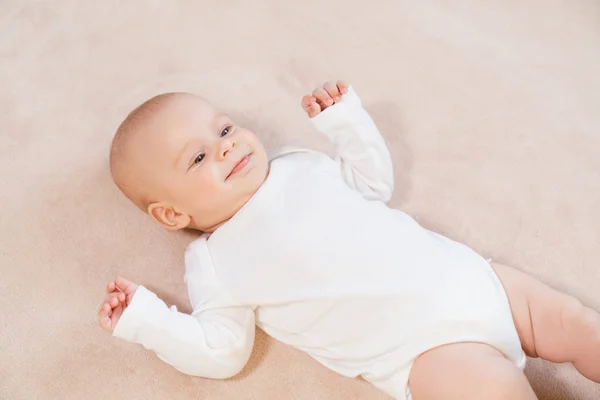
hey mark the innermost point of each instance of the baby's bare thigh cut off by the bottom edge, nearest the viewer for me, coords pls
(467, 371)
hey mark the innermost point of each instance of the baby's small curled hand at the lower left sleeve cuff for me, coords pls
(119, 295)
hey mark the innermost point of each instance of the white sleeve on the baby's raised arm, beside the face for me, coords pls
(363, 155)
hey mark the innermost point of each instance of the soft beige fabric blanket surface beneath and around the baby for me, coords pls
(491, 111)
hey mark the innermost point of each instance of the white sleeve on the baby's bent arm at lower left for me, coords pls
(215, 341)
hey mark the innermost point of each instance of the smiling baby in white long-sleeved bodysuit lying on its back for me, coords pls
(304, 246)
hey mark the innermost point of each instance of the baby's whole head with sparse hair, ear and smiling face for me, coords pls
(185, 163)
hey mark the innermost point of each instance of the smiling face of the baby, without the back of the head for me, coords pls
(205, 167)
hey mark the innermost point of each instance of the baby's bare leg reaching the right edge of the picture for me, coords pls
(552, 325)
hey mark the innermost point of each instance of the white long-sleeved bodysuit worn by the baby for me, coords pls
(320, 262)
